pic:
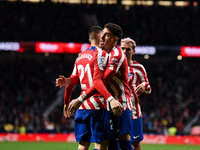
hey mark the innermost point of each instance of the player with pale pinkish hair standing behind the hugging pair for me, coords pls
(138, 83)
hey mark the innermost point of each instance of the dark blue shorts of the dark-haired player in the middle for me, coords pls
(122, 124)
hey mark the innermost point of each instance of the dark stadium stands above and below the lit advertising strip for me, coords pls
(28, 94)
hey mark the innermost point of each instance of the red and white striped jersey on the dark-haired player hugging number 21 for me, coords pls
(114, 75)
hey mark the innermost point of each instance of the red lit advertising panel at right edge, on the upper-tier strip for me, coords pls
(190, 51)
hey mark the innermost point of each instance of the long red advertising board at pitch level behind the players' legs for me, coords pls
(70, 137)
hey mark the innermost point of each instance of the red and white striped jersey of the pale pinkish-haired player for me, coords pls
(137, 75)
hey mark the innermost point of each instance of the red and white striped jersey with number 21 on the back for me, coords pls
(84, 68)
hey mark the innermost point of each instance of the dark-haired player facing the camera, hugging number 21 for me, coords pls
(115, 76)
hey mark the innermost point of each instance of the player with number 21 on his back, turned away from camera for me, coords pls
(92, 120)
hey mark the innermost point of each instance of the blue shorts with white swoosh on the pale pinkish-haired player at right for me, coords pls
(136, 130)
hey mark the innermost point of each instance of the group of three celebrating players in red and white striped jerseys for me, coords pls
(108, 111)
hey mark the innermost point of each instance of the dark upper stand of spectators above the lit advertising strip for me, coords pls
(152, 25)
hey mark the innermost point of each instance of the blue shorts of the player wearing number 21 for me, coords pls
(92, 125)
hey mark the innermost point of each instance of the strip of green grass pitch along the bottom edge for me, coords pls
(74, 146)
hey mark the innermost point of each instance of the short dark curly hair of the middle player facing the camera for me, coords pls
(115, 29)
